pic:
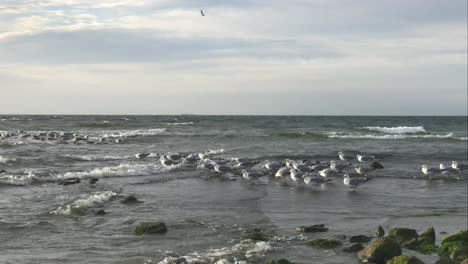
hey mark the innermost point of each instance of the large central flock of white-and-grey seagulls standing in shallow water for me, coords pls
(312, 173)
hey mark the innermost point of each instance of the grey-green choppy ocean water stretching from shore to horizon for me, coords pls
(207, 213)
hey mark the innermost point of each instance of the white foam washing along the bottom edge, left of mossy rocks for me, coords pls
(247, 251)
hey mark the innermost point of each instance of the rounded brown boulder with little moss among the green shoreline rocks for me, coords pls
(380, 250)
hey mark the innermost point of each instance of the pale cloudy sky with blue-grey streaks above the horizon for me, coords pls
(266, 57)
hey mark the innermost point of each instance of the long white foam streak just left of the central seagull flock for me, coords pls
(120, 170)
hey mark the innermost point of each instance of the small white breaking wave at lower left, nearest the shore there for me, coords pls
(80, 205)
